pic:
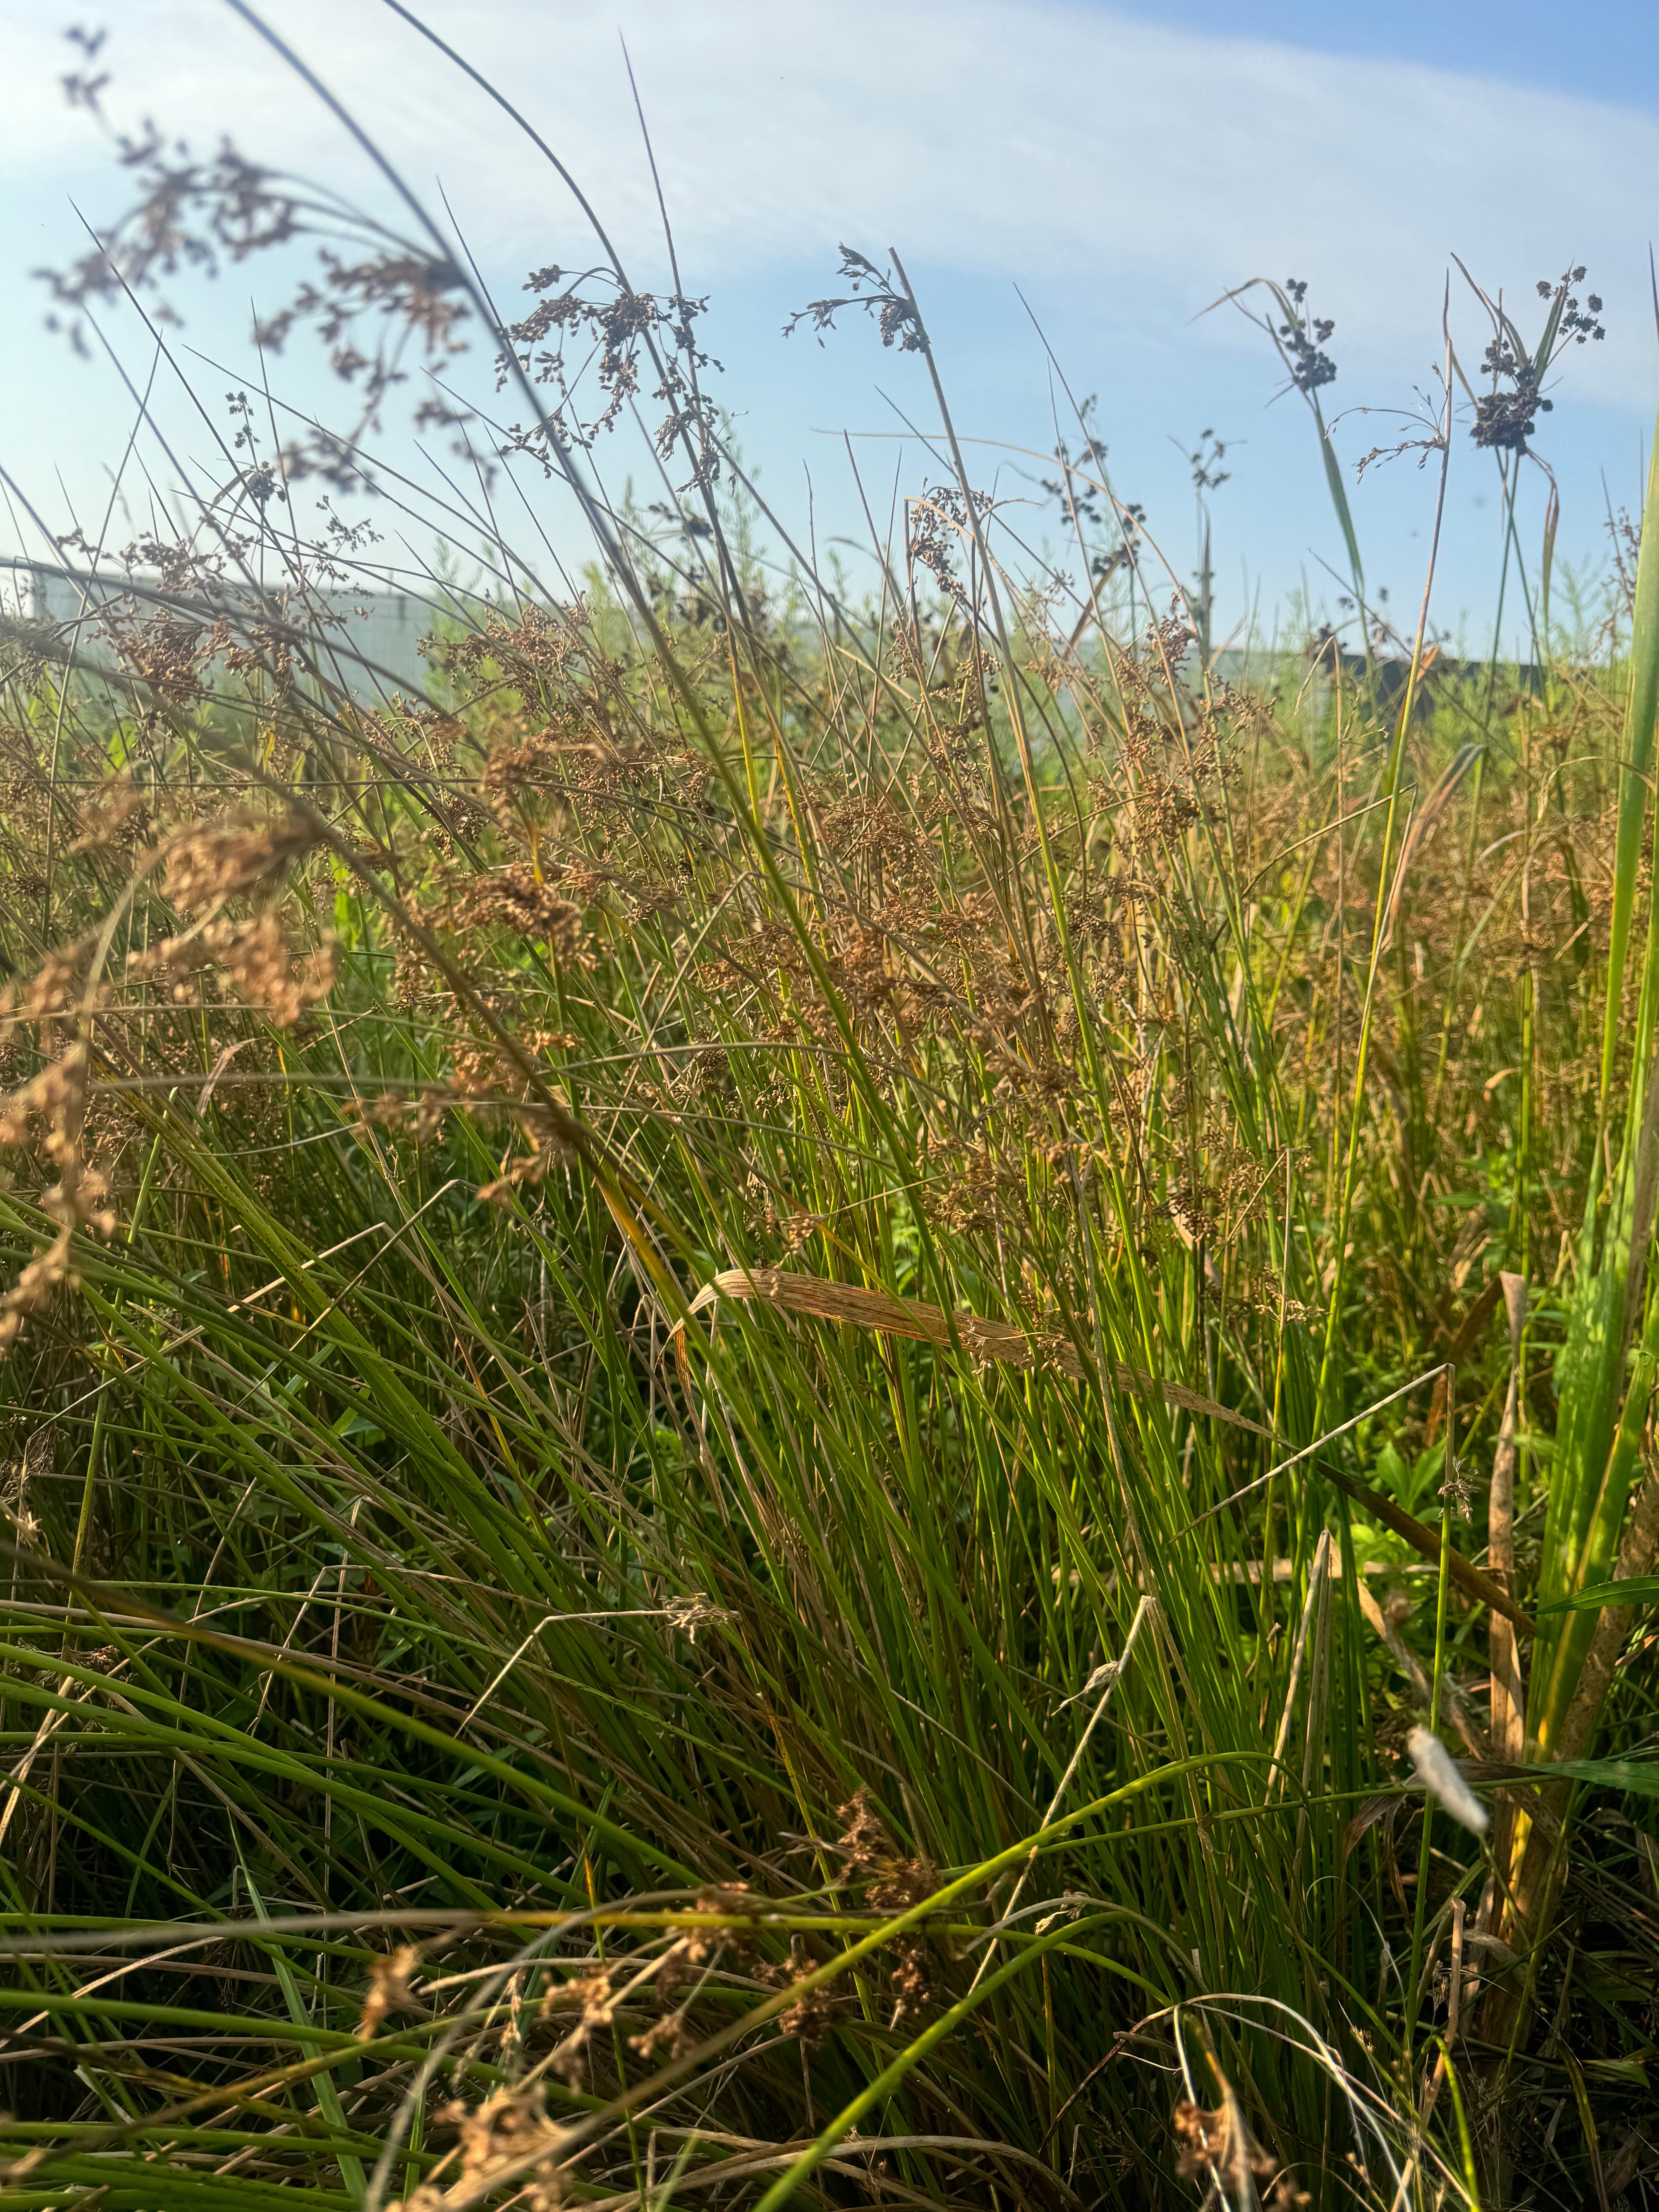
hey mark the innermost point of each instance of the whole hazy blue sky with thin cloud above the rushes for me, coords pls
(1116, 165)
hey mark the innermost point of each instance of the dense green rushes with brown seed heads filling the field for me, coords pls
(749, 1368)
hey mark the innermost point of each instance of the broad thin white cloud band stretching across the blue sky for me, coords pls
(983, 136)
